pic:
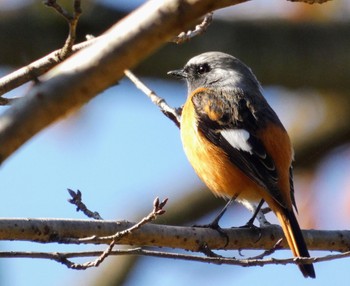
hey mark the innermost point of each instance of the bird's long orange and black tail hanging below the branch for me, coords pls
(295, 239)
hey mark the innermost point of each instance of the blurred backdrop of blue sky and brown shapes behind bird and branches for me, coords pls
(121, 152)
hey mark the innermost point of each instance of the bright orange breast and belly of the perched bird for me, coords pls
(211, 163)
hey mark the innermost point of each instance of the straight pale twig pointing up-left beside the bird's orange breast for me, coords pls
(173, 114)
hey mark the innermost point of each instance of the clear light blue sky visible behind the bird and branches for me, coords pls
(122, 153)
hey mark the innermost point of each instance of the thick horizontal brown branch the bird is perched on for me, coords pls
(190, 238)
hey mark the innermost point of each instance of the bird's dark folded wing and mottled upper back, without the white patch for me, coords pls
(217, 113)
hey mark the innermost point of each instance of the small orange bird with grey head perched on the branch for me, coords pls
(236, 143)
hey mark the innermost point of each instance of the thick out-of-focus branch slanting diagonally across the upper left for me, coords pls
(81, 77)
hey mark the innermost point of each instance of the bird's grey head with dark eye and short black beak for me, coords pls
(217, 69)
